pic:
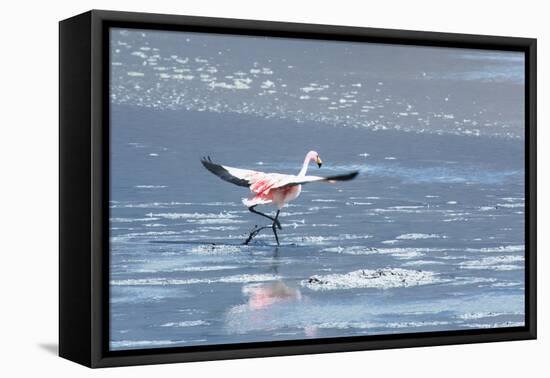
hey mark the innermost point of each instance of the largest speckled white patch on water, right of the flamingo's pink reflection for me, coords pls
(385, 278)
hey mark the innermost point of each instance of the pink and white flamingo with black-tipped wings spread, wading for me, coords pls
(277, 189)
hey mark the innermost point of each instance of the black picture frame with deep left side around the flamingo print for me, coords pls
(84, 188)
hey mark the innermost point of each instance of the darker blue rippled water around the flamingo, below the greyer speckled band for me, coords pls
(180, 276)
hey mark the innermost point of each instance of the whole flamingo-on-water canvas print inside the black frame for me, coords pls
(266, 189)
